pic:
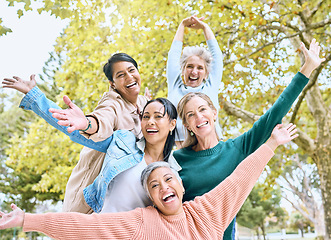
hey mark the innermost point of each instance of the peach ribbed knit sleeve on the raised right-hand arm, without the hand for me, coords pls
(221, 204)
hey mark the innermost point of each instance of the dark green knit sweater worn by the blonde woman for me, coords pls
(203, 170)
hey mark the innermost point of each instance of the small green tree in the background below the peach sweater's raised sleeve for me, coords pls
(260, 206)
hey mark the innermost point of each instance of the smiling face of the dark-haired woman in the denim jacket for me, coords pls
(155, 124)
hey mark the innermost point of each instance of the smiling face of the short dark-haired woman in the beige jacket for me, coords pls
(126, 80)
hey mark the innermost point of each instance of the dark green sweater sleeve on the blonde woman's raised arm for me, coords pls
(262, 128)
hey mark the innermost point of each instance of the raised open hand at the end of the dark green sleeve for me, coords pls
(312, 59)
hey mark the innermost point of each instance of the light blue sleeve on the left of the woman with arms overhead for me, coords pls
(173, 65)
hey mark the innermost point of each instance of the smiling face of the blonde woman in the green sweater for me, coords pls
(200, 117)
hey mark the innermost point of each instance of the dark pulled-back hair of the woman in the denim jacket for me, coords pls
(169, 109)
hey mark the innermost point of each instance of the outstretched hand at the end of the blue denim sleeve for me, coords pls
(19, 84)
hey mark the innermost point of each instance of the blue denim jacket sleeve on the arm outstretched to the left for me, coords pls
(36, 101)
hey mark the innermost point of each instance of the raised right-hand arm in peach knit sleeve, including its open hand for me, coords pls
(224, 201)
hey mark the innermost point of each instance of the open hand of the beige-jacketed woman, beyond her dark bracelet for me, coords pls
(73, 117)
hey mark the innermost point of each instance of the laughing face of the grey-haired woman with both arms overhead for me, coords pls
(194, 71)
